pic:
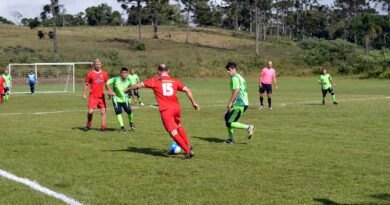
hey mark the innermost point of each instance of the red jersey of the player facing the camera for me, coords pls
(96, 80)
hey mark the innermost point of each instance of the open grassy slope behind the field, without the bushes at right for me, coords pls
(206, 54)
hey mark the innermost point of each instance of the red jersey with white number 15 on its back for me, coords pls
(165, 90)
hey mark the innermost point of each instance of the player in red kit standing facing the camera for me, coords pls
(96, 79)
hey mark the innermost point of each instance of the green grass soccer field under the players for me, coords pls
(302, 152)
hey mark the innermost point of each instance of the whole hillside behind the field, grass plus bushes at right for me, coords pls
(203, 57)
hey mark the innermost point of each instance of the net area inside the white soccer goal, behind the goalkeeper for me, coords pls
(50, 77)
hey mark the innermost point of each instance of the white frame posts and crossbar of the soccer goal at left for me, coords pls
(35, 65)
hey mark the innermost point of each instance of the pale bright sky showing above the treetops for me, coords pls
(32, 8)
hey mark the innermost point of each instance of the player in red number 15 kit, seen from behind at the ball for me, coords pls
(165, 89)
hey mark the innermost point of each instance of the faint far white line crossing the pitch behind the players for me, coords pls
(215, 105)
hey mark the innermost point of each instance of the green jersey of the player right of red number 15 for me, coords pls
(237, 81)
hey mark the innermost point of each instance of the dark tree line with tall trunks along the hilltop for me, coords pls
(362, 22)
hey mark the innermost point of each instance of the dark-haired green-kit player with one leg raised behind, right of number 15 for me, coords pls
(237, 104)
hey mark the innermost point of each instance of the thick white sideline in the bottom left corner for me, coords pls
(38, 187)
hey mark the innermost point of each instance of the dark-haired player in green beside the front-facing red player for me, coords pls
(120, 99)
